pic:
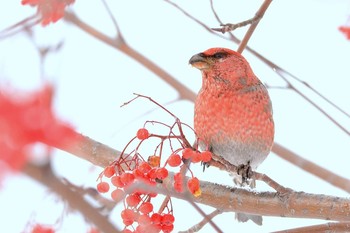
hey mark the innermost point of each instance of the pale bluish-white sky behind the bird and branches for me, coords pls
(93, 80)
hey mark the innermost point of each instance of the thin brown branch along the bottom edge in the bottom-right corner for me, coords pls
(328, 227)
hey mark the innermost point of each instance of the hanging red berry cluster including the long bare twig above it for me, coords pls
(131, 172)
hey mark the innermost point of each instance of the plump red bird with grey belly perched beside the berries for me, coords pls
(233, 112)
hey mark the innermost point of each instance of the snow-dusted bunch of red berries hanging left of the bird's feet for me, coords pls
(139, 214)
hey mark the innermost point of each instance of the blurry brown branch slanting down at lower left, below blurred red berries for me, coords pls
(44, 175)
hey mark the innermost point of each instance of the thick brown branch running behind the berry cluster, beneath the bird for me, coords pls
(230, 199)
